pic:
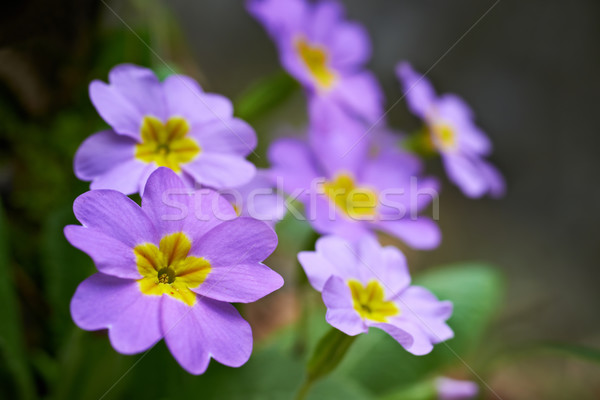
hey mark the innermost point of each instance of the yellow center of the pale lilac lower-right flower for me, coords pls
(369, 301)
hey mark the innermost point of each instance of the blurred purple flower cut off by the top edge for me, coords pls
(323, 51)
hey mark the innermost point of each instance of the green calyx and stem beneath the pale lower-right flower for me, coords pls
(327, 355)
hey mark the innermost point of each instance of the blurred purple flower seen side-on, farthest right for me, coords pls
(452, 133)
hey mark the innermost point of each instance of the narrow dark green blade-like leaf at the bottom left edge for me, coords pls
(11, 330)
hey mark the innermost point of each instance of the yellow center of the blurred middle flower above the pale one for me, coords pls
(356, 202)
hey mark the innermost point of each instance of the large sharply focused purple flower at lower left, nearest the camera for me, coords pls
(169, 269)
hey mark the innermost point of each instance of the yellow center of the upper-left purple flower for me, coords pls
(166, 145)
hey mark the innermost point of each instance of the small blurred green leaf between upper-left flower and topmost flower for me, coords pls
(265, 95)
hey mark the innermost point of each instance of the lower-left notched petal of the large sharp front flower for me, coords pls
(132, 319)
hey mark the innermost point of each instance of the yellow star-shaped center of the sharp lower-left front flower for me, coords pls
(167, 269)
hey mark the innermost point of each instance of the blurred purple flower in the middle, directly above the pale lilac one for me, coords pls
(350, 193)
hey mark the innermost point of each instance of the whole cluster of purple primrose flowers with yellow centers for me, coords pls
(168, 268)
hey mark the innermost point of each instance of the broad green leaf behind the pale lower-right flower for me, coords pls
(380, 364)
